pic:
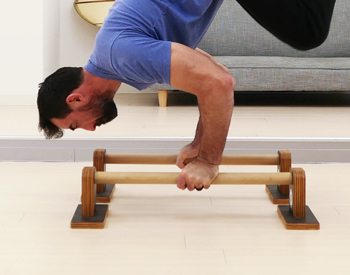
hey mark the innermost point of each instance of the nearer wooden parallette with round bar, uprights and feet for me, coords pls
(295, 216)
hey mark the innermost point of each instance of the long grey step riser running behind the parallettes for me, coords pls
(75, 150)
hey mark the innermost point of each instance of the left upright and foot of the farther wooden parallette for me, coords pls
(103, 191)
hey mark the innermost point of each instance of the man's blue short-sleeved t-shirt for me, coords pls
(133, 46)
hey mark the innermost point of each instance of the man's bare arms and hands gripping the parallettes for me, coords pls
(197, 73)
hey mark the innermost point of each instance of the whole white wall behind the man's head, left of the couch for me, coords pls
(40, 36)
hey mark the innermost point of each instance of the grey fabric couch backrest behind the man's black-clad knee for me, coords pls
(234, 32)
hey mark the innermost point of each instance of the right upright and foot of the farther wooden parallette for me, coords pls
(279, 194)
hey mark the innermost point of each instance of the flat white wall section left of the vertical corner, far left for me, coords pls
(21, 50)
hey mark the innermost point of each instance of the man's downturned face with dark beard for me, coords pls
(88, 117)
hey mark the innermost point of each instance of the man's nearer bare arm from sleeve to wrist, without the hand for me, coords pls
(213, 85)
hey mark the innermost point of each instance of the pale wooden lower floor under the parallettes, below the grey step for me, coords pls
(161, 230)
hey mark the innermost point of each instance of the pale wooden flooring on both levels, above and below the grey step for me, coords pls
(162, 230)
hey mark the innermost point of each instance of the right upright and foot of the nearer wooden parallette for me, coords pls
(297, 215)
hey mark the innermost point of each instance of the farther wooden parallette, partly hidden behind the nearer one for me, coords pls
(277, 194)
